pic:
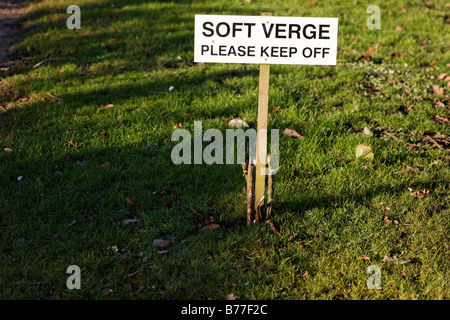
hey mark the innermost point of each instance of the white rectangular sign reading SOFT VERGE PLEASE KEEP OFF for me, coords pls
(265, 40)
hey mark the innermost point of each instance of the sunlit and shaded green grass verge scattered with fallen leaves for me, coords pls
(333, 201)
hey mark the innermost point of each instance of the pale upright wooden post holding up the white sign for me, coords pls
(261, 139)
